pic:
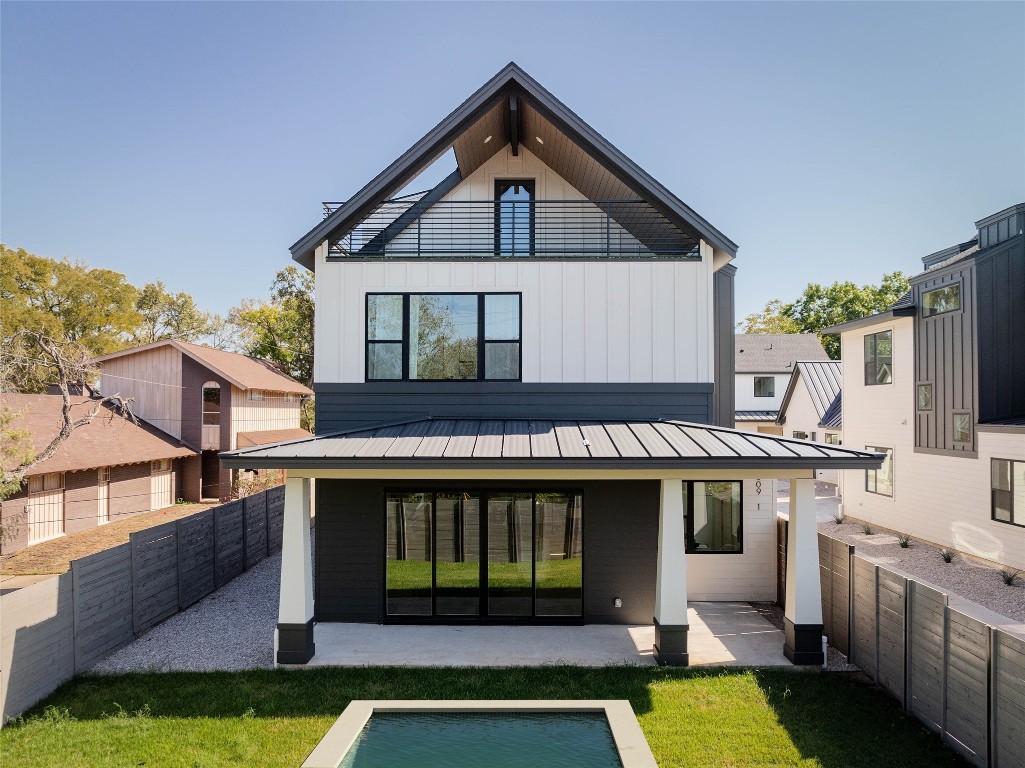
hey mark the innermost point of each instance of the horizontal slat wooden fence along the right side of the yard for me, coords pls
(962, 677)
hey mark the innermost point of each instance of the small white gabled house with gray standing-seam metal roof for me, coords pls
(812, 408)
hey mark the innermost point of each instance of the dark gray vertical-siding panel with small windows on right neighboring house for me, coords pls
(945, 356)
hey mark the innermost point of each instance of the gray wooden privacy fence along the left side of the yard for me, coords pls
(56, 629)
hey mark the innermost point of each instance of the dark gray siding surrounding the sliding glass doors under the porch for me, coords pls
(621, 534)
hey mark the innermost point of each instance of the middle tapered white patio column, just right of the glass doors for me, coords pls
(671, 579)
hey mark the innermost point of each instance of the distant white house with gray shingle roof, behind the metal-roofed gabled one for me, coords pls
(764, 366)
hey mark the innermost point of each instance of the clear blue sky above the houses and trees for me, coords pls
(194, 142)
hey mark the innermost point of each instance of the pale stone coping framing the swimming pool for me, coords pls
(631, 743)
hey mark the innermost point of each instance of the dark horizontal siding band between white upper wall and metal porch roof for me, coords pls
(343, 407)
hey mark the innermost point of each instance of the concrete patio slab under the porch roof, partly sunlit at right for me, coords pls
(732, 634)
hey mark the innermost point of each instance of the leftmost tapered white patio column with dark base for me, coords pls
(295, 635)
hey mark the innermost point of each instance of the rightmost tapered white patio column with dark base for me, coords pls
(803, 618)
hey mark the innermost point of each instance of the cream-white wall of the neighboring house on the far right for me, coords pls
(944, 500)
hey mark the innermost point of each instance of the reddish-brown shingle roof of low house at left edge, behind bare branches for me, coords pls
(108, 440)
